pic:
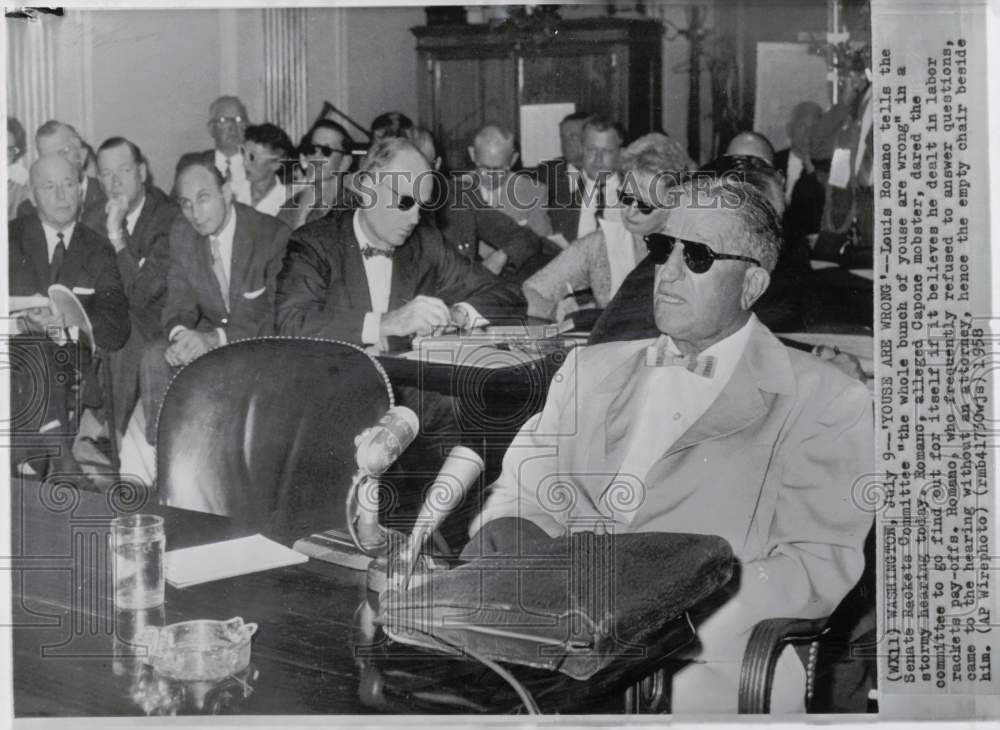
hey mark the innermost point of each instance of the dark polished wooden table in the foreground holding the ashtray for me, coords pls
(315, 652)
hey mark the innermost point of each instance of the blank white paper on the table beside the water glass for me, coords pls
(226, 559)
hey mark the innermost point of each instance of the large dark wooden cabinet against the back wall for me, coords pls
(471, 75)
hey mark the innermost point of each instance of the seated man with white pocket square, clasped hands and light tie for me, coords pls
(224, 257)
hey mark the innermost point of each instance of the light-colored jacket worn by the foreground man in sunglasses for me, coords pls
(774, 466)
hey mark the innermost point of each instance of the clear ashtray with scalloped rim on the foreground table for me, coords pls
(199, 651)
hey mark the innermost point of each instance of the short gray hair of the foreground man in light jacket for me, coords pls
(760, 236)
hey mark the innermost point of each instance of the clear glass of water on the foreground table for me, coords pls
(137, 547)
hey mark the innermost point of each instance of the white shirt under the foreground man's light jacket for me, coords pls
(672, 400)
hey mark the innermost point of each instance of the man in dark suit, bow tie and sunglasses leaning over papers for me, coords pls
(377, 272)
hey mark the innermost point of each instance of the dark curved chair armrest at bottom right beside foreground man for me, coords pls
(767, 640)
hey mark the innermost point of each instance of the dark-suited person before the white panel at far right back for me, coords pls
(804, 189)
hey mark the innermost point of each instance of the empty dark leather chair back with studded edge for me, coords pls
(262, 430)
